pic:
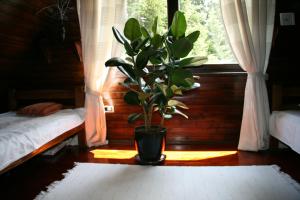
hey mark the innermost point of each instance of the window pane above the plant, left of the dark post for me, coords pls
(146, 10)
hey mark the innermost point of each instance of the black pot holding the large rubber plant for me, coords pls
(150, 143)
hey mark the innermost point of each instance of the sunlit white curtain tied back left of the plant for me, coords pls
(96, 18)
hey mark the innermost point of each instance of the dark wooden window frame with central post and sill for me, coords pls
(172, 7)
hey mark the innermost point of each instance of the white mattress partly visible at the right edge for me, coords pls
(285, 126)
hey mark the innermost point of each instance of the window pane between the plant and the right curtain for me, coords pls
(205, 16)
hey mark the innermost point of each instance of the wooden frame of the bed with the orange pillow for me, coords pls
(76, 96)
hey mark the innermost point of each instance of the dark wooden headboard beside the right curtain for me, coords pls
(285, 97)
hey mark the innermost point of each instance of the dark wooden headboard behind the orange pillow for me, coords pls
(70, 98)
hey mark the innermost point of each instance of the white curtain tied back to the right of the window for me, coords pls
(249, 26)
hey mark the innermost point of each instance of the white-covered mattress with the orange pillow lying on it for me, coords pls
(20, 135)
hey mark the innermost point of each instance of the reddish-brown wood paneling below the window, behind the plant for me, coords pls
(214, 116)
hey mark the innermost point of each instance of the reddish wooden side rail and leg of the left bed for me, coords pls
(52, 143)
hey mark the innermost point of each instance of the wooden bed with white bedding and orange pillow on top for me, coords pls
(22, 137)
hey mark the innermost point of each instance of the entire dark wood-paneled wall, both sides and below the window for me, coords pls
(32, 55)
